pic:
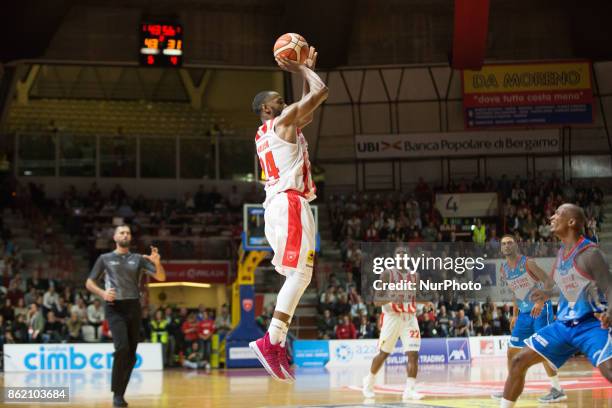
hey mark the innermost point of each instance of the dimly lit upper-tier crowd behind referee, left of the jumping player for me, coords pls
(203, 224)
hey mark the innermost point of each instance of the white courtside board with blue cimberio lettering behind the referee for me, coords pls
(75, 357)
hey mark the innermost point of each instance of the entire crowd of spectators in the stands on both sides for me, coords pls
(36, 310)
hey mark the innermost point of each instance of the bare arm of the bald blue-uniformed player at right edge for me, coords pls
(594, 263)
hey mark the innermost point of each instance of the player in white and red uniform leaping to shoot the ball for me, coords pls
(289, 223)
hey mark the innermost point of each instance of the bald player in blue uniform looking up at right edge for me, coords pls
(583, 323)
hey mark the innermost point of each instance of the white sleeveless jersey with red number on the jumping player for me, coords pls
(286, 165)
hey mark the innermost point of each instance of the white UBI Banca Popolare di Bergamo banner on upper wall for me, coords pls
(451, 144)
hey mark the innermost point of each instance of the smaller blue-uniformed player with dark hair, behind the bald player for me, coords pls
(523, 276)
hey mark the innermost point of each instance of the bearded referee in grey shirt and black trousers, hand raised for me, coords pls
(122, 272)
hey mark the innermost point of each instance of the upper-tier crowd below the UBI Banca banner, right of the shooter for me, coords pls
(412, 217)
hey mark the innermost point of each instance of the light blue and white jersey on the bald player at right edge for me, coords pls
(580, 296)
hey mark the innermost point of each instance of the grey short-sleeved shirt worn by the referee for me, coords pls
(122, 272)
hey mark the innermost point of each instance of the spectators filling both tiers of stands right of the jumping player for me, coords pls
(526, 206)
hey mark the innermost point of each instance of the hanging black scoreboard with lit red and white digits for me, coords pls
(161, 44)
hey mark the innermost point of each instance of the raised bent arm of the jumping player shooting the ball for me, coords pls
(299, 113)
